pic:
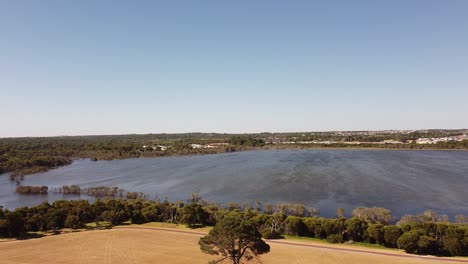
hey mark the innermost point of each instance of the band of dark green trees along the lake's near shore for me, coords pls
(428, 233)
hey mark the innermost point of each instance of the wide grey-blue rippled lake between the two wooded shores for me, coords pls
(402, 181)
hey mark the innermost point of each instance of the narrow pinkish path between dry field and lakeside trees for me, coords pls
(311, 245)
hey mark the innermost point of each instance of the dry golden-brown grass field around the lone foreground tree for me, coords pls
(165, 244)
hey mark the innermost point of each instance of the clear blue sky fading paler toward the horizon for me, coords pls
(114, 67)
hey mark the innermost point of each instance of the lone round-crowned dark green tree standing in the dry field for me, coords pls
(235, 238)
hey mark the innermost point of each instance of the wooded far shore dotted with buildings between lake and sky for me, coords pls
(22, 156)
